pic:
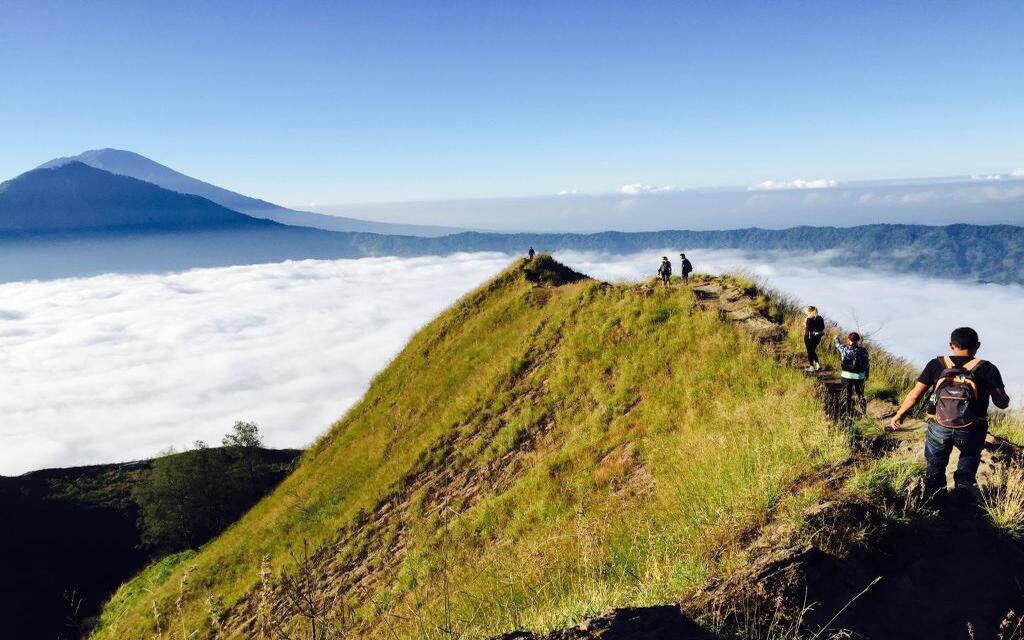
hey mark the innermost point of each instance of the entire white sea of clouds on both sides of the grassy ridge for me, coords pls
(117, 368)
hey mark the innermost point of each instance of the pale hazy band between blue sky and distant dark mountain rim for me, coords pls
(971, 200)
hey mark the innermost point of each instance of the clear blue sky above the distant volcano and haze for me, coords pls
(377, 102)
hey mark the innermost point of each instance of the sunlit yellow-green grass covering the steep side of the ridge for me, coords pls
(533, 457)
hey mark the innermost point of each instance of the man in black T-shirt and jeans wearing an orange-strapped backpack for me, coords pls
(962, 388)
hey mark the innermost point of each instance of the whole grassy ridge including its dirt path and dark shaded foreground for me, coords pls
(553, 448)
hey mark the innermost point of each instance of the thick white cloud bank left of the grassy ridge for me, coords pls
(117, 368)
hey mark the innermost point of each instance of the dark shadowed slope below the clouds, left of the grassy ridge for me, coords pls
(72, 536)
